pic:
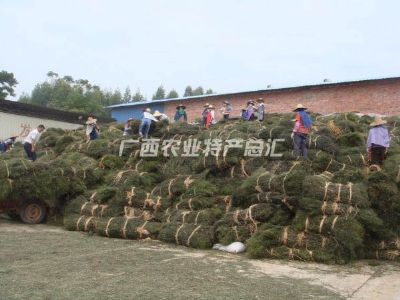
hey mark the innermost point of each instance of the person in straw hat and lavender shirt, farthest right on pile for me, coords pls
(378, 142)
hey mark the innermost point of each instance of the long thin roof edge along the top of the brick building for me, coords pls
(302, 87)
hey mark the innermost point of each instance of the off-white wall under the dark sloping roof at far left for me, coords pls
(11, 124)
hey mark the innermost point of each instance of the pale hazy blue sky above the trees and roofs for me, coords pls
(226, 45)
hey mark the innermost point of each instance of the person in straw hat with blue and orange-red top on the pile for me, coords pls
(301, 130)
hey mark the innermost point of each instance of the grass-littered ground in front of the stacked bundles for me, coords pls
(47, 262)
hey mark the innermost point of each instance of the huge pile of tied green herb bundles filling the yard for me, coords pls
(330, 208)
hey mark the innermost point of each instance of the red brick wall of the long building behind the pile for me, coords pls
(380, 96)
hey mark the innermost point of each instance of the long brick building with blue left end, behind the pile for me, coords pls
(381, 96)
